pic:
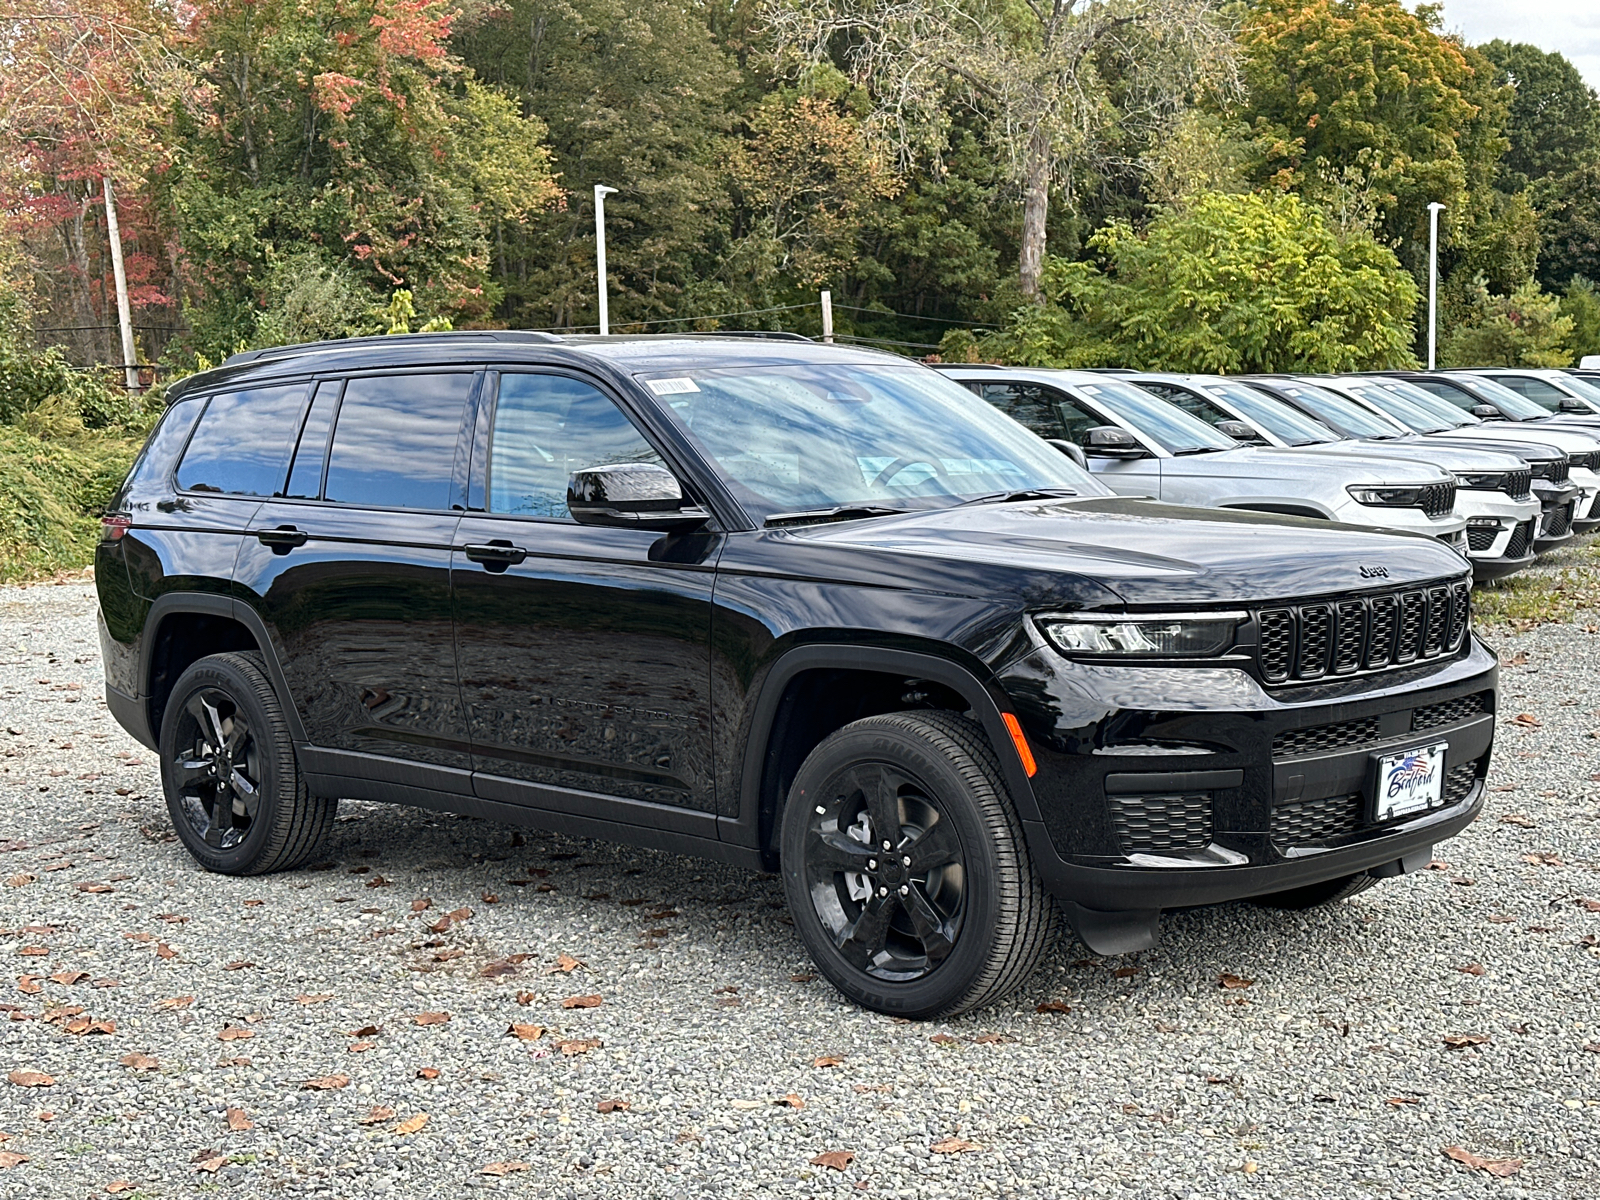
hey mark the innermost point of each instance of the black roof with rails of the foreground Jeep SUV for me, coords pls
(623, 354)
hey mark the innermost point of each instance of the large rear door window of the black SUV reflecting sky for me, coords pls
(394, 446)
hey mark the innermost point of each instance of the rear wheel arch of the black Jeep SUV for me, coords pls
(186, 626)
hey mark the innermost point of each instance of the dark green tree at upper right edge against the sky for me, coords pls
(1554, 122)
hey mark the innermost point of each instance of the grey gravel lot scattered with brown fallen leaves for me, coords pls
(449, 1004)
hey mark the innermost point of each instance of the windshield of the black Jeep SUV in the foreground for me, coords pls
(801, 439)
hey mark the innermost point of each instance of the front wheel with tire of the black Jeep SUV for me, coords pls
(906, 871)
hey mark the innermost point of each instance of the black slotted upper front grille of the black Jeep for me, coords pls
(1316, 641)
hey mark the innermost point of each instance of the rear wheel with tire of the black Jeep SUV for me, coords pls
(230, 772)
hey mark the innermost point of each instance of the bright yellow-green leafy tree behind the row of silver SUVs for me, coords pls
(1226, 284)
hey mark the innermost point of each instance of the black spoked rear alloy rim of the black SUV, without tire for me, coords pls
(218, 780)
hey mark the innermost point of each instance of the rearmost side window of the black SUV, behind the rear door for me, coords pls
(242, 446)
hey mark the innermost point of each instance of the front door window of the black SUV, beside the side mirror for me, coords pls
(548, 426)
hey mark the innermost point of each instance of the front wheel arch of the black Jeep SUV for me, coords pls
(769, 766)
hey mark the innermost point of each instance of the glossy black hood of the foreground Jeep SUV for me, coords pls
(1145, 553)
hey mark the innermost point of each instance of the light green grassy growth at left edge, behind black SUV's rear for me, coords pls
(50, 498)
